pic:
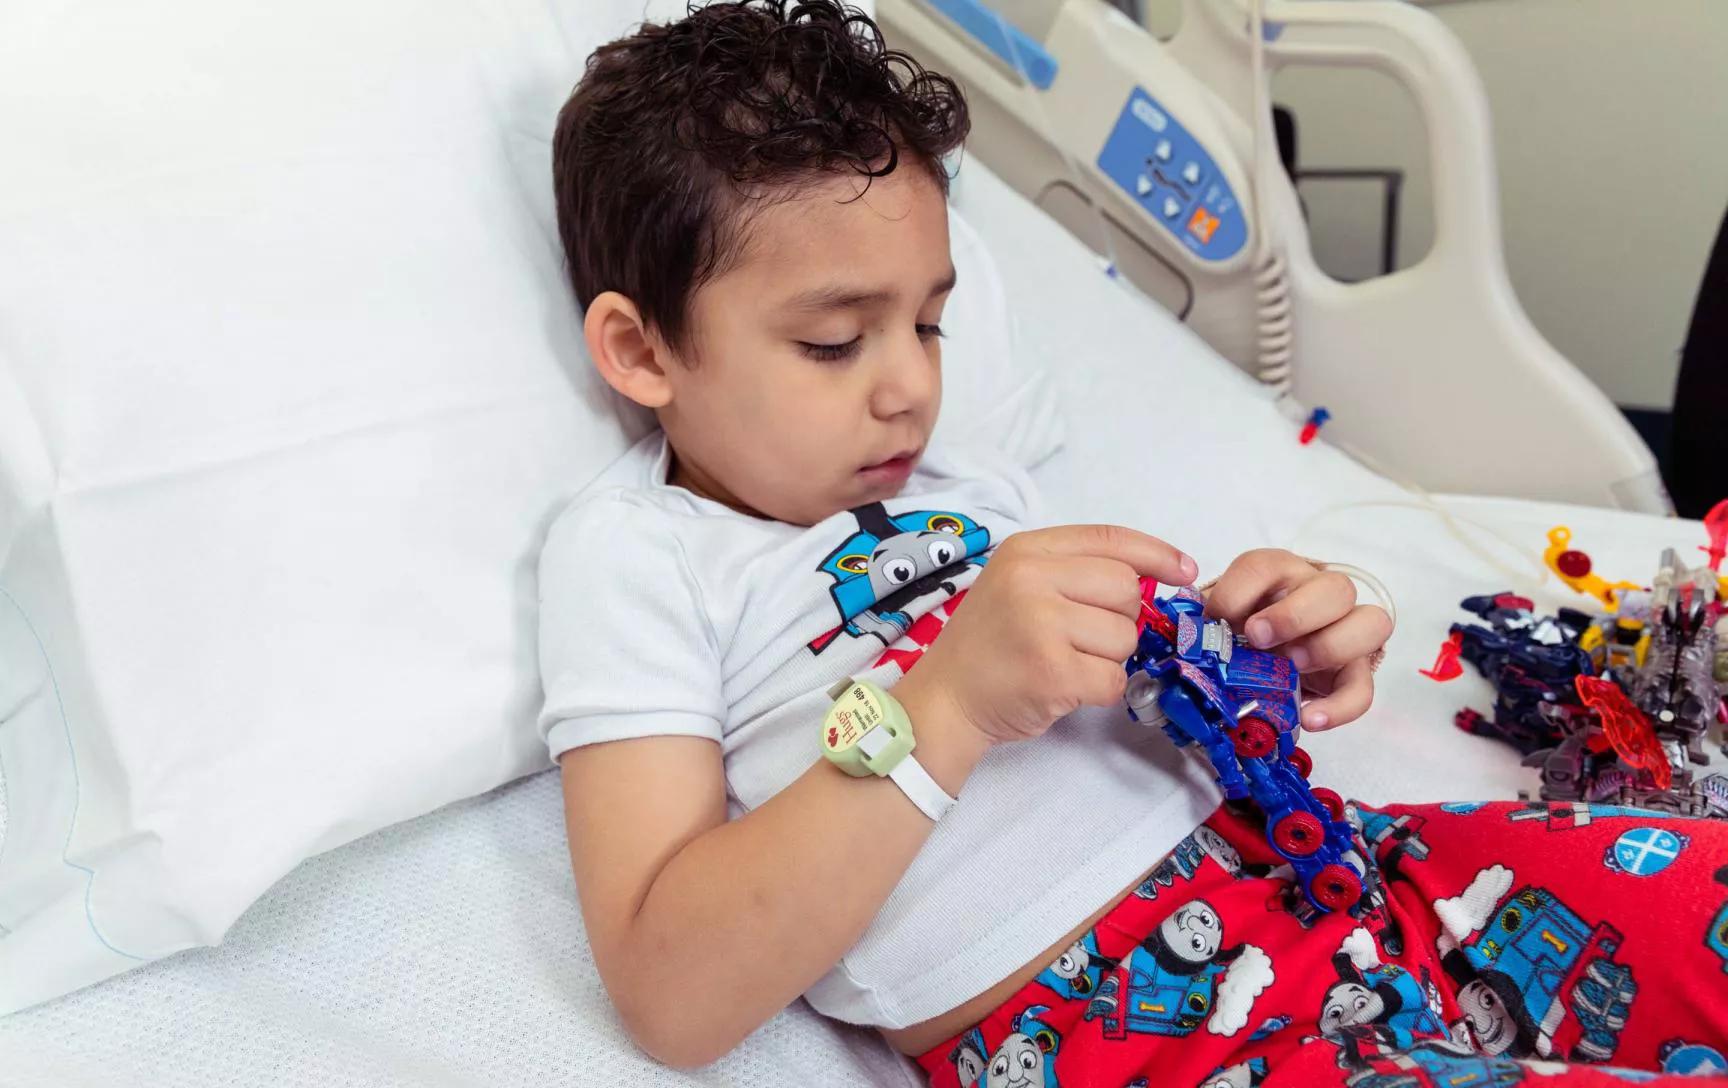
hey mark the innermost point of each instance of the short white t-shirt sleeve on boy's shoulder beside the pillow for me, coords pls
(626, 648)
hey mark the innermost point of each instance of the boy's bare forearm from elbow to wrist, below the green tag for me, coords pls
(747, 916)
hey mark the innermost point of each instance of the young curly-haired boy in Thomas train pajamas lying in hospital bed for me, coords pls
(753, 208)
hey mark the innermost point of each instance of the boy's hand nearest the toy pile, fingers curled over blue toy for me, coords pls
(1281, 602)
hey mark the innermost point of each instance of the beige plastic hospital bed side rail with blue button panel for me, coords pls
(1145, 149)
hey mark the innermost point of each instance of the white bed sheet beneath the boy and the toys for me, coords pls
(448, 951)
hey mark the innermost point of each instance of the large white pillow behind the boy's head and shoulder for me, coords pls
(289, 388)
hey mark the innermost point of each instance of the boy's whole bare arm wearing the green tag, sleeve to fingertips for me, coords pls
(706, 928)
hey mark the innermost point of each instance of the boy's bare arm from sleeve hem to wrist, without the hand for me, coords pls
(706, 928)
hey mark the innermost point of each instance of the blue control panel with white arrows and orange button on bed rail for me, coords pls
(1171, 175)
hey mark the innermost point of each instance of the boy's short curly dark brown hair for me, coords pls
(677, 132)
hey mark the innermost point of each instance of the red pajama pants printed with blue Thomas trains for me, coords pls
(1501, 946)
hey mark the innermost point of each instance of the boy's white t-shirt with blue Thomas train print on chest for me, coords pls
(670, 614)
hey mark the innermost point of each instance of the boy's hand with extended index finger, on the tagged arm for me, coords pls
(1045, 629)
